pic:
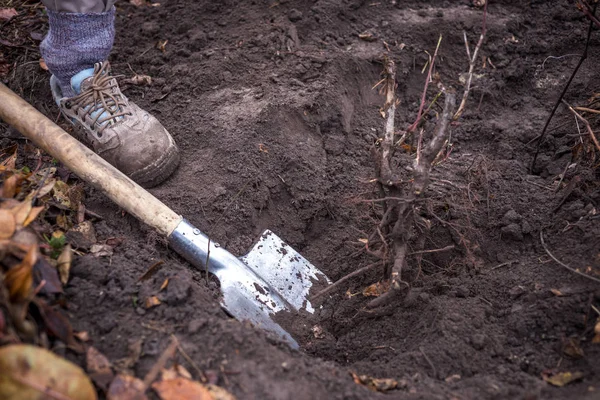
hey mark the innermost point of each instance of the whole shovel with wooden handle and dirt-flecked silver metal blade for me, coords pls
(271, 278)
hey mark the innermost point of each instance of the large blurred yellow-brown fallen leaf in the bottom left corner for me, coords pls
(30, 372)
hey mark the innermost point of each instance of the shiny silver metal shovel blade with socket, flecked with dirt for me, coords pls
(271, 278)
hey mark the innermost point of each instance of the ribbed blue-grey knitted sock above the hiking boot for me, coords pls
(76, 42)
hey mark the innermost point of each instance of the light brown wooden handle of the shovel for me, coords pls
(86, 164)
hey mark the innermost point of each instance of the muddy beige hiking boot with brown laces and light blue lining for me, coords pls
(115, 128)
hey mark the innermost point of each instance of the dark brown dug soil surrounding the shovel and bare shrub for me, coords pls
(273, 107)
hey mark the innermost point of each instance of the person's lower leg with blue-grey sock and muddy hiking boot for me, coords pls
(76, 50)
